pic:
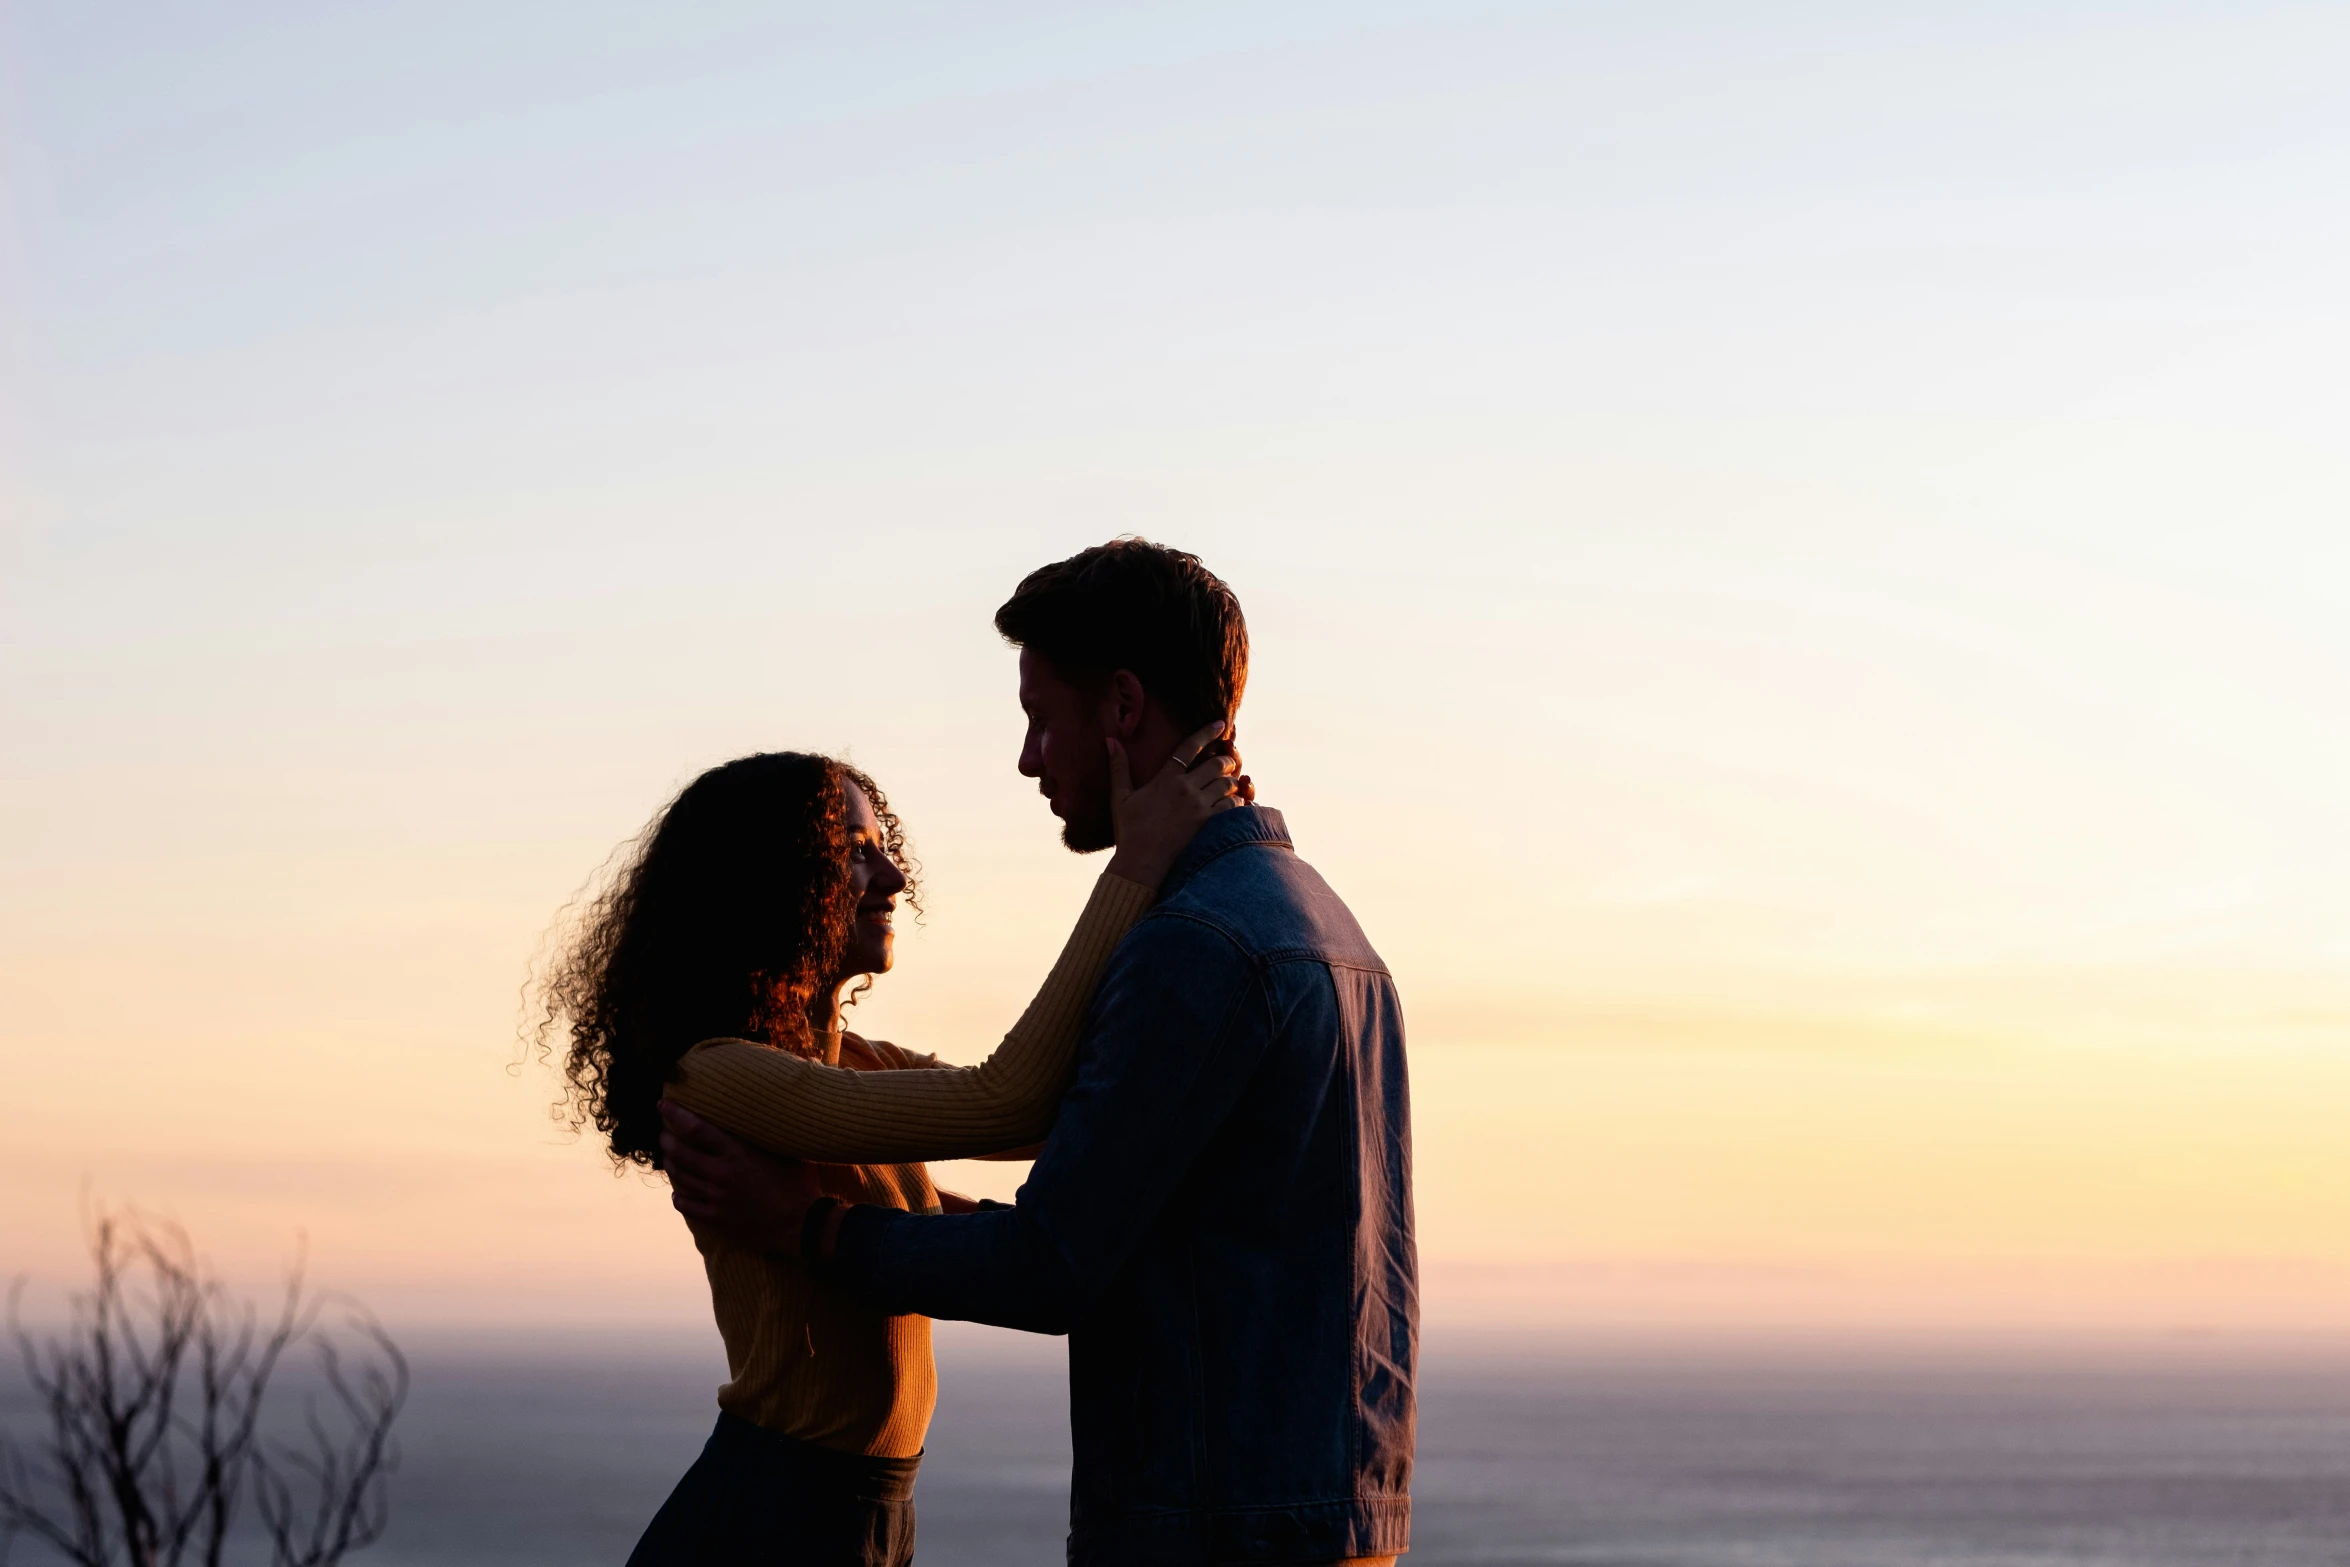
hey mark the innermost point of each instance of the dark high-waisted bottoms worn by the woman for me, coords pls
(767, 1500)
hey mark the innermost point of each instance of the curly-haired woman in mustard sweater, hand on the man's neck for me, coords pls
(753, 903)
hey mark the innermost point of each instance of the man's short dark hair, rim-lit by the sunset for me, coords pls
(1141, 607)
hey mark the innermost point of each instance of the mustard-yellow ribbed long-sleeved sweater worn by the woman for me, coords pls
(807, 1359)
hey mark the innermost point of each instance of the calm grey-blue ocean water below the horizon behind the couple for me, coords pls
(558, 1453)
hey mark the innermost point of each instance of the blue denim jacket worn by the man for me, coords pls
(1221, 1223)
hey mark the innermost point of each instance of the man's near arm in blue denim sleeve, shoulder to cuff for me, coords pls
(1171, 1042)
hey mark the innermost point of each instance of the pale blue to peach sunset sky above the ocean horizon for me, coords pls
(1799, 567)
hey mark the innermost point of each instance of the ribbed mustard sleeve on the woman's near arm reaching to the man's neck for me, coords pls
(807, 1110)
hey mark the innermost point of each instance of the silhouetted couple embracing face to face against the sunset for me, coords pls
(1211, 1082)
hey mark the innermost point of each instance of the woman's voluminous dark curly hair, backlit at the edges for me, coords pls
(725, 922)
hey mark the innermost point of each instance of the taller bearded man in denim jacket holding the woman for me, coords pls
(1223, 1216)
